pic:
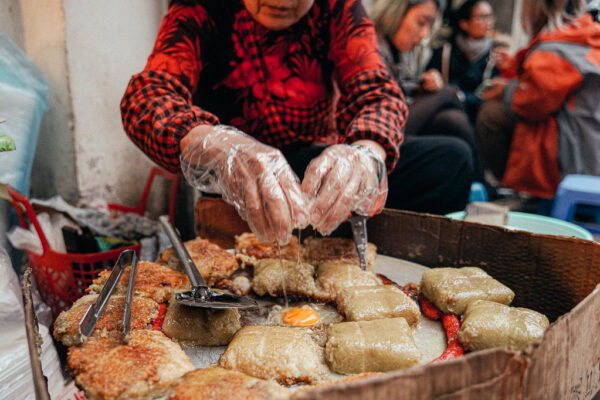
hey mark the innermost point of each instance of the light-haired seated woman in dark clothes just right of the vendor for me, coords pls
(435, 110)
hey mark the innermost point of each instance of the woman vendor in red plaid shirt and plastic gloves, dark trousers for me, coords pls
(243, 95)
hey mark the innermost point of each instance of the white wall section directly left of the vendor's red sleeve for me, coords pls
(107, 42)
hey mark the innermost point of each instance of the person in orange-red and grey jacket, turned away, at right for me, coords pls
(548, 122)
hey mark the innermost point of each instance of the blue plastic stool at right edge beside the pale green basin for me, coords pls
(574, 190)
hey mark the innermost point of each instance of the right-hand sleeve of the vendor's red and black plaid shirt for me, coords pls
(371, 105)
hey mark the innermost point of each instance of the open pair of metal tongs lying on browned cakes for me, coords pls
(93, 313)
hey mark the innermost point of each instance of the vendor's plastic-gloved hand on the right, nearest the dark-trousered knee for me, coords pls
(341, 180)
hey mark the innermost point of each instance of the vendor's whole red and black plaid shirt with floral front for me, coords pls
(213, 63)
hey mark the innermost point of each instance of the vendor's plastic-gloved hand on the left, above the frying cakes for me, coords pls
(252, 176)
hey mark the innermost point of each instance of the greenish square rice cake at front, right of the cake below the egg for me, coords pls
(371, 346)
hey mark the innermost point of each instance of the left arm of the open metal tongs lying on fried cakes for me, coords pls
(93, 313)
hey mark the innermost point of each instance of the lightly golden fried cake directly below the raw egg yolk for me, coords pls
(287, 355)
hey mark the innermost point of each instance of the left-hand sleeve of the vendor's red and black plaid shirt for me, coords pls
(157, 109)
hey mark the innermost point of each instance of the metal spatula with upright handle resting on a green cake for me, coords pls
(200, 295)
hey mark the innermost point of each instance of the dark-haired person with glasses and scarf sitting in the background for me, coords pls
(464, 57)
